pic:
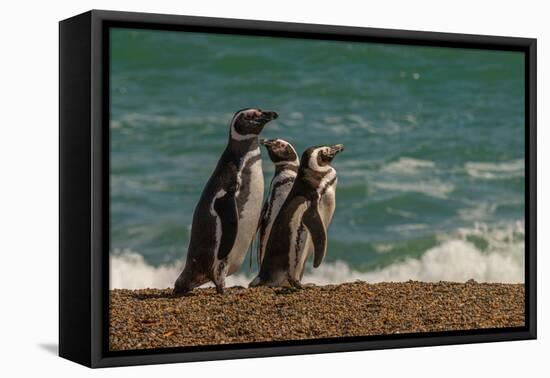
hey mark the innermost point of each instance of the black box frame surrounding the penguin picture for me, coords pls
(84, 187)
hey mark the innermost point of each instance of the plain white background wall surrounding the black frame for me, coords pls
(28, 208)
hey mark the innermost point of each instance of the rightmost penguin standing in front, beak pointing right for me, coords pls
(300, 228)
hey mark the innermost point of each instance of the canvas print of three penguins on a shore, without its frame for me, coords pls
(269, 189)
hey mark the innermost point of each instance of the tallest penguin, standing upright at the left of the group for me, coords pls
(226, 217)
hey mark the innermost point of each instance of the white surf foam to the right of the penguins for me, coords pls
(455, 258)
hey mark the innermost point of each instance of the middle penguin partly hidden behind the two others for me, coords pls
(284, 157)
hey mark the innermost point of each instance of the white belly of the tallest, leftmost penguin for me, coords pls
(249, 203)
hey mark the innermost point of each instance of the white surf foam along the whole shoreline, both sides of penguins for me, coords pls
(455, 258)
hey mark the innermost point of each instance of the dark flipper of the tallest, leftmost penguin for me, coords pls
(226, 207)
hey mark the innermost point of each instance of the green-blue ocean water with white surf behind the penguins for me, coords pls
(431, 183)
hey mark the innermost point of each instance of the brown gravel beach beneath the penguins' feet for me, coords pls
(153, 318)
